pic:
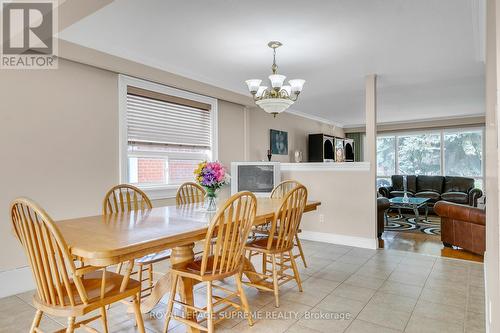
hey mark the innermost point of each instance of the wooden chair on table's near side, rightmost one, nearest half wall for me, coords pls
(279, 244)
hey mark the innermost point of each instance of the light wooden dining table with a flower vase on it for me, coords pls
(105, 240)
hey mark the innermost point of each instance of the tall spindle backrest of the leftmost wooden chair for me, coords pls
(48, 255)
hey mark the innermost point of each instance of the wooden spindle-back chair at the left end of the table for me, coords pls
(62, 289)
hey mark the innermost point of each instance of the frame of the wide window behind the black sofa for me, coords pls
(441, 132)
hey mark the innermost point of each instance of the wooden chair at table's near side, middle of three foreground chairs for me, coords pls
(229, 228)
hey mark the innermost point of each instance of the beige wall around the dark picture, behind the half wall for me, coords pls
(298, 129)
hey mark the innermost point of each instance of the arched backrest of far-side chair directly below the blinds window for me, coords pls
(125, 198)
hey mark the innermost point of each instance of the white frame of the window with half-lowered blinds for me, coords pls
(161, 191)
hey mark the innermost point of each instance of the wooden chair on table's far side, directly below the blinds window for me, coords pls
(124, 198)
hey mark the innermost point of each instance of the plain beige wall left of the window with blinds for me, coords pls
(59, 142)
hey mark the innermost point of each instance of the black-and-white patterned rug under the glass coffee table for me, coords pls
(431, 226)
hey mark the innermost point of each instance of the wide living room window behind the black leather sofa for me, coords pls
(447, 152)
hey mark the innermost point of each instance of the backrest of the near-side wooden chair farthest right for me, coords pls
(287, 219)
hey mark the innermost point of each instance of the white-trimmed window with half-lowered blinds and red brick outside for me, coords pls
(165, 133)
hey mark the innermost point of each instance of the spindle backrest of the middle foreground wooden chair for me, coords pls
(228, 233)
